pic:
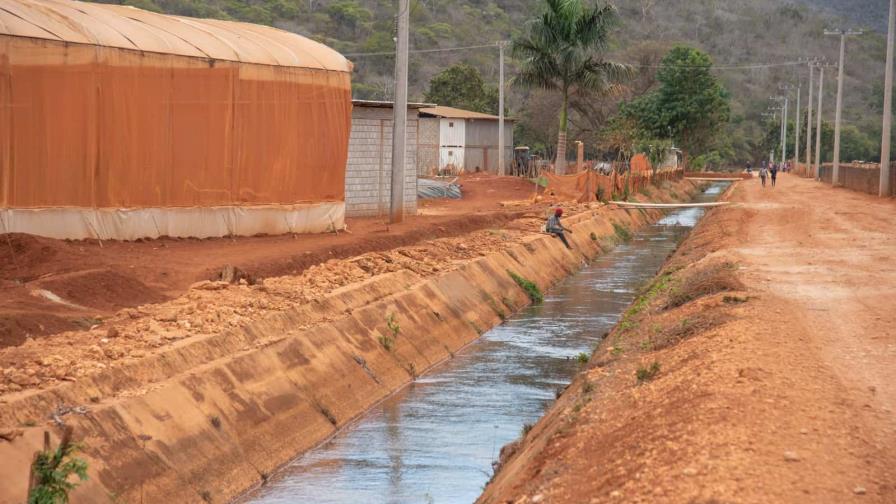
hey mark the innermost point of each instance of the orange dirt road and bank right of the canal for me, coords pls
(756, 368)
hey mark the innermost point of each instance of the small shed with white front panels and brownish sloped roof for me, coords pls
(453, 139)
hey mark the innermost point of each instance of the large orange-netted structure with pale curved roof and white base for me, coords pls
(119, 123)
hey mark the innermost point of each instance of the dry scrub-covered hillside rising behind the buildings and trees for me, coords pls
(730, 31)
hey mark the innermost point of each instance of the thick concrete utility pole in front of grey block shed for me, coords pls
(399, 115)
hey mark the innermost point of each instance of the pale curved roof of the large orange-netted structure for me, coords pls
(135, 29)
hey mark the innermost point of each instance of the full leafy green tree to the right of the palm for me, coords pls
(690, 105)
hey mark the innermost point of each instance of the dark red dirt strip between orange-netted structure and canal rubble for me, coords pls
(99, 279)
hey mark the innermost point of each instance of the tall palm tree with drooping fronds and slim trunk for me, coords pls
(562, 52)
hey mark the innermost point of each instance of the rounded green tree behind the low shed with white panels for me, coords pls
(462, 86)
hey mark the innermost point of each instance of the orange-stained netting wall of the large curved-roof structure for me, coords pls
(98, 126)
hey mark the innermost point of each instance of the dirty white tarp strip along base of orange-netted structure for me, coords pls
(196, 222)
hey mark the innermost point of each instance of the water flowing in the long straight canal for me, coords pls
(435, 441)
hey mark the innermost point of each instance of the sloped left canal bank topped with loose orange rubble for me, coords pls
(204, 396)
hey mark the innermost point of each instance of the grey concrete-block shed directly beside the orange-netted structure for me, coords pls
(368, 172)
